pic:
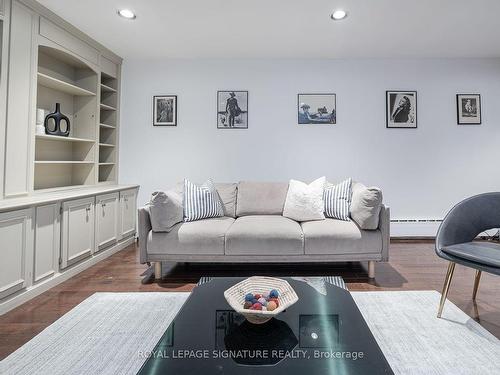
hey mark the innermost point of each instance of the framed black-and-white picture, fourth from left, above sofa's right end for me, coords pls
(401, 109)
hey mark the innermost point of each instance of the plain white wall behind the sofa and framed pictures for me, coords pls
(422, 171)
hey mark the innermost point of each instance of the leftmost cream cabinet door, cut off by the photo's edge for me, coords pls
(16, 251)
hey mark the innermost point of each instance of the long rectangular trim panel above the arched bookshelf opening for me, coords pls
(68, 41)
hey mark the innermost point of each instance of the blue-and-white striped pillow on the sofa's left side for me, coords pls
(201, 202)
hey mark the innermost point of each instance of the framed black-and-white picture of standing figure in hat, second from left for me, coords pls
(232, 109)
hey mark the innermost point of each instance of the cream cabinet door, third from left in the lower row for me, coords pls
(77, 231)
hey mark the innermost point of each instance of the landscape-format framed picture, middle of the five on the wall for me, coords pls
(317, 108)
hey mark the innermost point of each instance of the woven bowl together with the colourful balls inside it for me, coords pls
(274, 296)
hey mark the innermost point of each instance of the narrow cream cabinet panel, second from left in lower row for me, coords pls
(47, 240)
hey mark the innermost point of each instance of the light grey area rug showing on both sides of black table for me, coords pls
(106, 332)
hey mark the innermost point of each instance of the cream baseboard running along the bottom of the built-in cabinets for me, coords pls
(38, 288)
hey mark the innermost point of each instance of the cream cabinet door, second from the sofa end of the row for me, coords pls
(106, 228)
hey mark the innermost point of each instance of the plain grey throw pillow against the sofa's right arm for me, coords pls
(365, 206)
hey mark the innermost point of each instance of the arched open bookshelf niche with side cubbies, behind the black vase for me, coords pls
(89, 98)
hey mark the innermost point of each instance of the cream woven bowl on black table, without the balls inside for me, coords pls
(235, 296)
